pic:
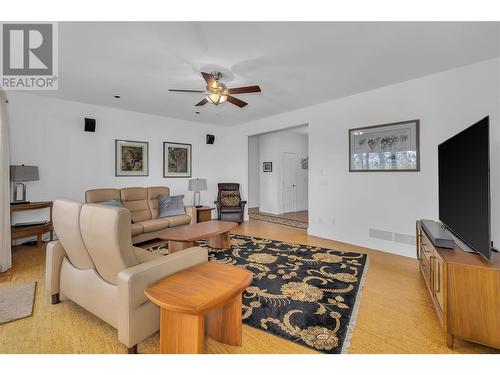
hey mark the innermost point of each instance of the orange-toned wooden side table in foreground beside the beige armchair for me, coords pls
(204, 298)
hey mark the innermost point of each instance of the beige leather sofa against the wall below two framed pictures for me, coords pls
(143, 205)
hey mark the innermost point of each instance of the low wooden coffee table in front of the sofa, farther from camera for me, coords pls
(183, 237)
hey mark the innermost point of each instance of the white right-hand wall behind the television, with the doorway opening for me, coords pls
(344, 206)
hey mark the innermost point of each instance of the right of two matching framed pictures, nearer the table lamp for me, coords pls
(176, 160)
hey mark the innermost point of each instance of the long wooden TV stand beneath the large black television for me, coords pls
(465, 290)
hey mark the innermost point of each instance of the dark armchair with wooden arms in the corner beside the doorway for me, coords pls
(229, 205)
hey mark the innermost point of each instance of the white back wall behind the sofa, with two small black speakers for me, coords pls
(49, 133)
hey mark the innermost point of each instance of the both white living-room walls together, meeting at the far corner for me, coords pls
(342, 205)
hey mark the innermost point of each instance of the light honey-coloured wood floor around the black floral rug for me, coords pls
(395, 316)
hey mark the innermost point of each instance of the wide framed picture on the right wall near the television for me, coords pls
(393, 147)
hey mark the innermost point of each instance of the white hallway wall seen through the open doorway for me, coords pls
(272, 147)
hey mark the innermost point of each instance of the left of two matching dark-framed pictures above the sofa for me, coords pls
(131, 158)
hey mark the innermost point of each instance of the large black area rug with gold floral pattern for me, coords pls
(306, 294)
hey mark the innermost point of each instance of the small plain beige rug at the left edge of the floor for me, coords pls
(16, 302)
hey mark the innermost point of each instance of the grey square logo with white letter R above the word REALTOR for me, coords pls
(27, 49)
